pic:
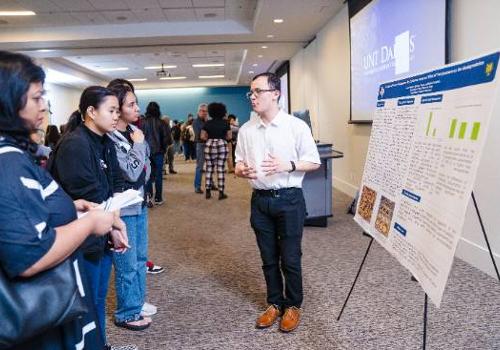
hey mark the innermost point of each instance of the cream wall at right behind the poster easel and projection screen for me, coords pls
(320, 81)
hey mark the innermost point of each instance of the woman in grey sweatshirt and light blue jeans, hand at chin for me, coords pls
(133, 157)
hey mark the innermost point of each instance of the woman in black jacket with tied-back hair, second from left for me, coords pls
(85, 164)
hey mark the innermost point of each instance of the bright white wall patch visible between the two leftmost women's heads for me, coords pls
(63, 101)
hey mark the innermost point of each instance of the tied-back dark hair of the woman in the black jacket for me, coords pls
(93, 96)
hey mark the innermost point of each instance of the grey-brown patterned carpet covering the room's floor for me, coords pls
(213, 287)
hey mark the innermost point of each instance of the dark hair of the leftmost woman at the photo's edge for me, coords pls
(17, 72)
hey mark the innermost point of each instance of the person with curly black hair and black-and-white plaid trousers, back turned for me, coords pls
(215, 133)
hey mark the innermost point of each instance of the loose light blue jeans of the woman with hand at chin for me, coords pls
(130, 269)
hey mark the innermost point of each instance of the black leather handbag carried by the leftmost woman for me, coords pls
(30, 306)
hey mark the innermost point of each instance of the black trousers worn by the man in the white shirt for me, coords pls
(277, 217)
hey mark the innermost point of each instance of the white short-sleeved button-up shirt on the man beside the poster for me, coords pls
(287, 138)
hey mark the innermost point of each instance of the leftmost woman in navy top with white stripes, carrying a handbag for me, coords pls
(30, 249)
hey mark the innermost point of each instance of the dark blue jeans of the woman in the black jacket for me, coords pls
(97, 272)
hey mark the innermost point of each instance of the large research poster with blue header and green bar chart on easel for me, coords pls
(427, 137)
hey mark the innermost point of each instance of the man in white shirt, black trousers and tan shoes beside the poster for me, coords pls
(274, 151)
